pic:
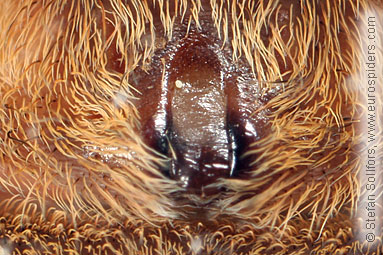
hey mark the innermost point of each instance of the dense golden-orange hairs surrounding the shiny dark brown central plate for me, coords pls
(76, 176)
